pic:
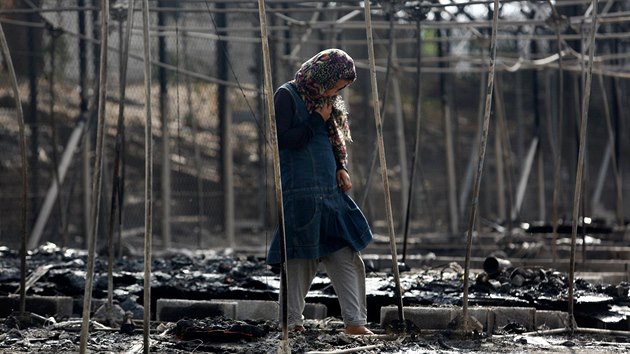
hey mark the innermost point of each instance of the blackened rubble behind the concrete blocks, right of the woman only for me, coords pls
(598, 306)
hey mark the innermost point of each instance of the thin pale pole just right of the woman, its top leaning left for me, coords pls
(381, 151)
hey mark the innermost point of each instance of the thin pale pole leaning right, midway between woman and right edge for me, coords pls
(480, 161)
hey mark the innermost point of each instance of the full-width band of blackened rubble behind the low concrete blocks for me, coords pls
(212, 275)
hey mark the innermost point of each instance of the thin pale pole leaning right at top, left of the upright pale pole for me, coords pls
(97, 179)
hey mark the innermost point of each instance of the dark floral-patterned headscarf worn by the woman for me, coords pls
(321, 73)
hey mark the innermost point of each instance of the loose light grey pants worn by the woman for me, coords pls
(346, 271)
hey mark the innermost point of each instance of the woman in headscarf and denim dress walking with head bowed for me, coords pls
(322, 223)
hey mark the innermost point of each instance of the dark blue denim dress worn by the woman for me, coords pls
(319, 217)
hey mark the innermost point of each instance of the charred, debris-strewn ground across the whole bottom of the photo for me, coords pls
(224, 274)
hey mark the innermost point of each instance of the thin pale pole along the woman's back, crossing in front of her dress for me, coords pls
(273, 140)
